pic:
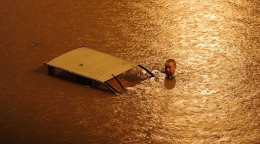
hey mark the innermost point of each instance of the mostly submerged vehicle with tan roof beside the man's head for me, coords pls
(97, 69)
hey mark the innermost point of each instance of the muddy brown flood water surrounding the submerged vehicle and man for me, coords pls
(216, 98)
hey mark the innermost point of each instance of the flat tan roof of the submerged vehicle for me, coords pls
(91, 64)
